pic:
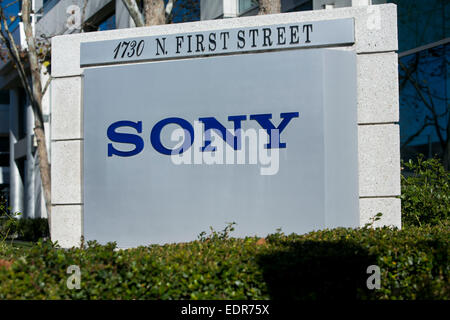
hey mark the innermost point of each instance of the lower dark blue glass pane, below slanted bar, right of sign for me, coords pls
(424, 103)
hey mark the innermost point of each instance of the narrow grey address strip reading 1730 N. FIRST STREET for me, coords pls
(215, 42)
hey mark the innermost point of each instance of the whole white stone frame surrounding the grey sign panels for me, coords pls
(377, 100)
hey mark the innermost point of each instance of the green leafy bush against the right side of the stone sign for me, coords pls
(425, 192)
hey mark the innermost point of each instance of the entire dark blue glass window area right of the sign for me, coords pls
(423, 37)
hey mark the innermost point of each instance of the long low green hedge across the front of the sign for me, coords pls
(329, 264)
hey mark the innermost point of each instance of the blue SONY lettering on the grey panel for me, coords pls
(210, 124)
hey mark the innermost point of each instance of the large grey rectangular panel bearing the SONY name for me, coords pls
(266, 140)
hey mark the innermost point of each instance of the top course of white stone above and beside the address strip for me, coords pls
(375, 31)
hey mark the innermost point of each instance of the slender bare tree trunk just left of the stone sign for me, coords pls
(36, 101)
